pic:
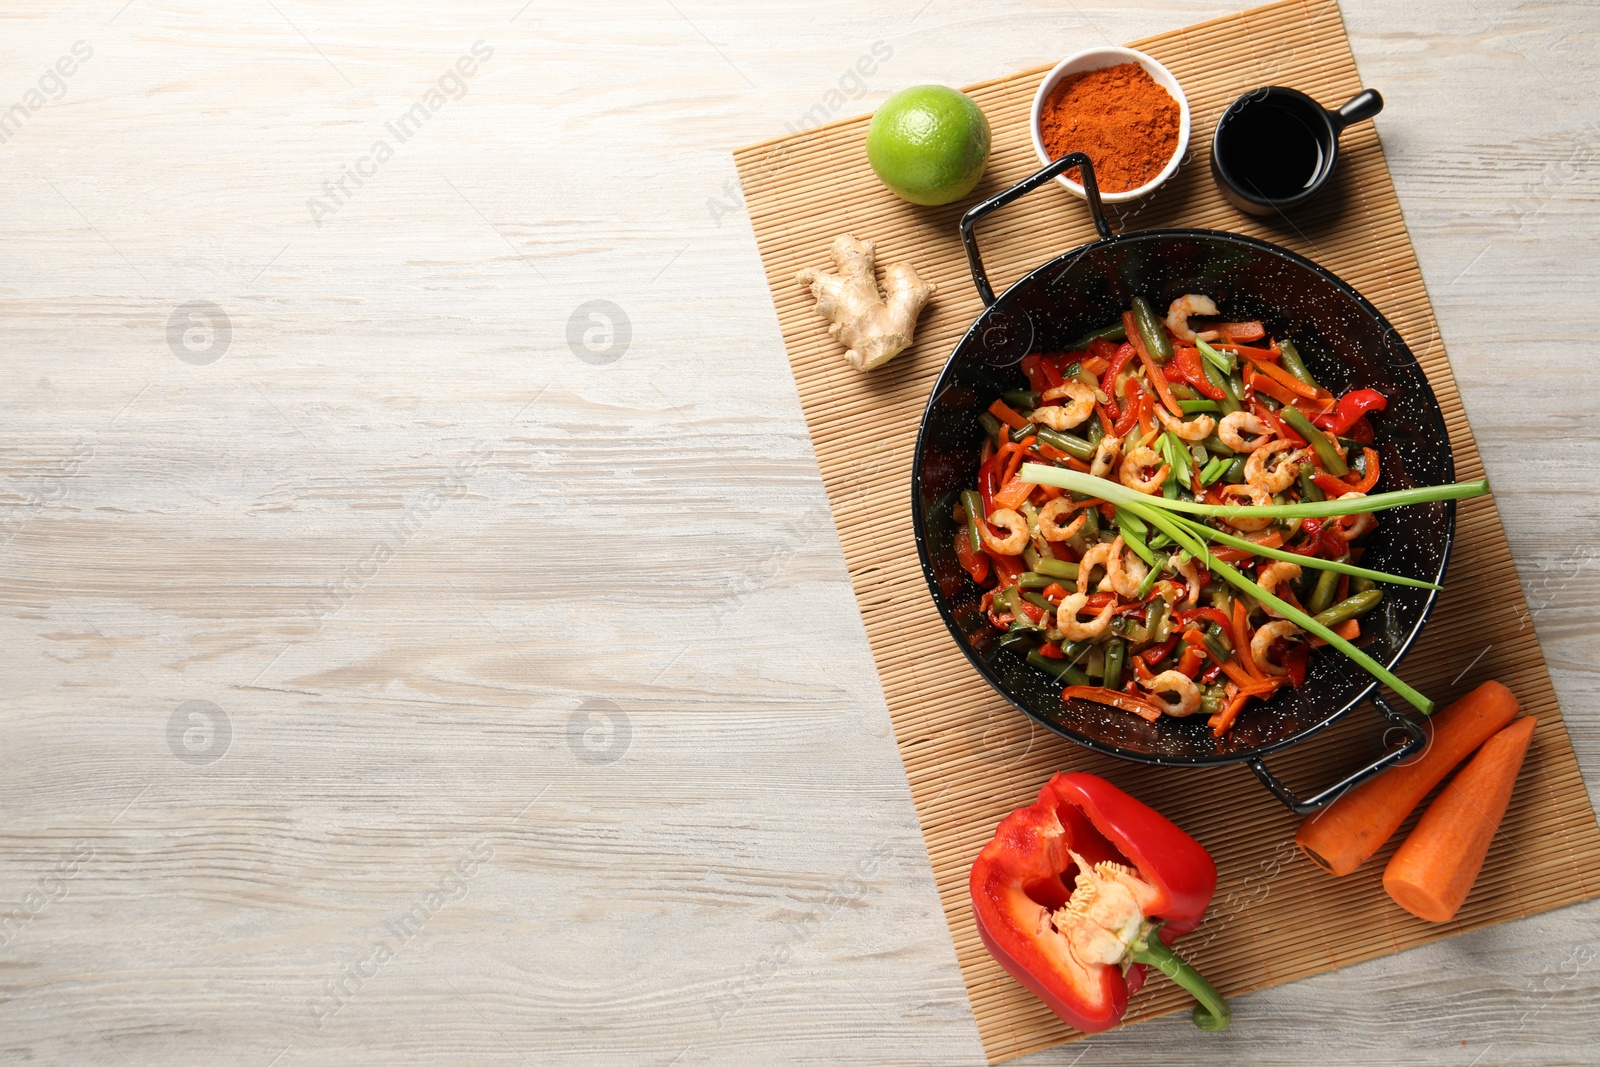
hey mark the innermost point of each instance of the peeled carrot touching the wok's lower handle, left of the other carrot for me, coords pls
(1345, 836)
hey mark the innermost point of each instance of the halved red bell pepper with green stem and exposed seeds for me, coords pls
(1084, 889)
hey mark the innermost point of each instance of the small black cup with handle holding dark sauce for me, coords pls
(1274, 148)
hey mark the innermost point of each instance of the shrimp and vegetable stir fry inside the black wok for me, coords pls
(1190, 407)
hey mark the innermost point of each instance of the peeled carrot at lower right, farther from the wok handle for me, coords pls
(1436, 868)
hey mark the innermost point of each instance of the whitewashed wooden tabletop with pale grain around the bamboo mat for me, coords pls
(551, 730)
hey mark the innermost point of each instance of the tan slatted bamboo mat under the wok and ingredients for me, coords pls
(969, 756)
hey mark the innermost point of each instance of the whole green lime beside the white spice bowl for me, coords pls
(929, 145)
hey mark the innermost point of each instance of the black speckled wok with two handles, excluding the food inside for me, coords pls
(1346, 345)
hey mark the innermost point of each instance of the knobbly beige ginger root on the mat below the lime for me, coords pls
(874, 327)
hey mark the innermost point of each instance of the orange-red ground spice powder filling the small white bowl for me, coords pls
(1121, 118)
